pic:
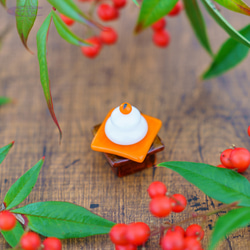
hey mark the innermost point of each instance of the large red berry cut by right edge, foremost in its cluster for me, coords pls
(240, 158)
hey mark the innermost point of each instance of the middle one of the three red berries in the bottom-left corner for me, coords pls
(30, 241)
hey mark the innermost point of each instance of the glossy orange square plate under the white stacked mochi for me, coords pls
(136, 152)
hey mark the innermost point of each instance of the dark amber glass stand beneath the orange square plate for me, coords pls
(122, 166)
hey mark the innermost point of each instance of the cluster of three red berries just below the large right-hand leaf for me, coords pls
(162, 205)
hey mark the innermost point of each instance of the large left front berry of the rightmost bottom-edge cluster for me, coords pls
(172, 241)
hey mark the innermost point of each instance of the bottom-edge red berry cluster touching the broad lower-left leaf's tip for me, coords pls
(128, 237)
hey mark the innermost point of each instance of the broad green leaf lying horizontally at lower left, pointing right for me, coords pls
(63, 220)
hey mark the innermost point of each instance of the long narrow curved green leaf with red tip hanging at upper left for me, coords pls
(41, 38)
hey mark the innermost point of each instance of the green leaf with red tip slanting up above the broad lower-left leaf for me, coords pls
(23, 186)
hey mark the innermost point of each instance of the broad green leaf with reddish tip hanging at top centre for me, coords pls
(152, 11)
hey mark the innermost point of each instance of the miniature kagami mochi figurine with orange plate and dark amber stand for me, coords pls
(128, 139)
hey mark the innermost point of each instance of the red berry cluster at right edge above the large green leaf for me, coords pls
(235, 158)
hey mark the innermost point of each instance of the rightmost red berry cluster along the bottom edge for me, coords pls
(176, 238)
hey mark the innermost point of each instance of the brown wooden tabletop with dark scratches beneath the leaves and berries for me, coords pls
(200, 119)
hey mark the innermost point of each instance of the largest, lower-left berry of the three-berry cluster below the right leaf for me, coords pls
(160, 206)
